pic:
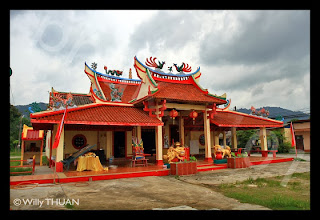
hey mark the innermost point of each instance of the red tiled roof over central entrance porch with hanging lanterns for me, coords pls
(184, 92)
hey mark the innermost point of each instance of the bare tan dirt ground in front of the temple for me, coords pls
(147, 193)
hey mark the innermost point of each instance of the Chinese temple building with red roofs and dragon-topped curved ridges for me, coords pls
(158, 108)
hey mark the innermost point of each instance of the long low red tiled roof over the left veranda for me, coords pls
(100, 114)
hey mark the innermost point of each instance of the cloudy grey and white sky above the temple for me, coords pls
(259, 58)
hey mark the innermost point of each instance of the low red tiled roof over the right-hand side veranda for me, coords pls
(237, 119)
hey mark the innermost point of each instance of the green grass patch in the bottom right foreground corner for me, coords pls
(269, 192)
